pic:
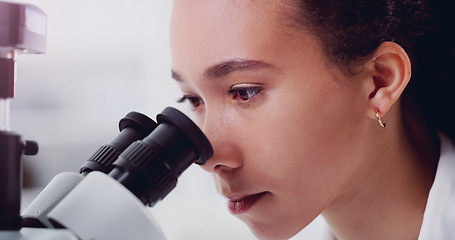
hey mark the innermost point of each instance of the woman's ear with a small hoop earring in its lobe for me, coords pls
(390, 72)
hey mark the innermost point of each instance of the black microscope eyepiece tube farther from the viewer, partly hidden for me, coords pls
(134, 126)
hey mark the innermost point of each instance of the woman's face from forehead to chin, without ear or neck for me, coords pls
(285, 125)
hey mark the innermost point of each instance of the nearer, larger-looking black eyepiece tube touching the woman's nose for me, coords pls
(149, 168)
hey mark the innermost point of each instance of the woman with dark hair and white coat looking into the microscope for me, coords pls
(321, 108)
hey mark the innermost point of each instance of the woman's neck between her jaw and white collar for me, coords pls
(388, 200)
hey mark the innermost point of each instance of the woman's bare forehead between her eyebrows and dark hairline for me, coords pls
(213, 31)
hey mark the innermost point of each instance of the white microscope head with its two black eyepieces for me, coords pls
(109, 198)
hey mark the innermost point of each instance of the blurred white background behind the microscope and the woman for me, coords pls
(104, 59)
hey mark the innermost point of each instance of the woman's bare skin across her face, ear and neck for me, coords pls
(286, 123)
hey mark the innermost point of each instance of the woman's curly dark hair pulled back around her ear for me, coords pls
(351, 30)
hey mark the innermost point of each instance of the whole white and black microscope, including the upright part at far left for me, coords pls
(109, 198)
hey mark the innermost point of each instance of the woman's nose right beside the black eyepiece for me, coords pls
(227, 153)
